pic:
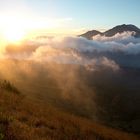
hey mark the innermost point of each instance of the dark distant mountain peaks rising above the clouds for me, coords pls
(118, 29)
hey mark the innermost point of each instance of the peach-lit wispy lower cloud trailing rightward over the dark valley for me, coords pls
(50, 54)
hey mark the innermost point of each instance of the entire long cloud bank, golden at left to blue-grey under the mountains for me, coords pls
(77, 50)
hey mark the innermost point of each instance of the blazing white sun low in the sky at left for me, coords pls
(12, 27)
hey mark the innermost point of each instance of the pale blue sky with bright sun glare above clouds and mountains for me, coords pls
(68, 15)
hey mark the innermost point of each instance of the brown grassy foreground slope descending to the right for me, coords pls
(24, 119)
